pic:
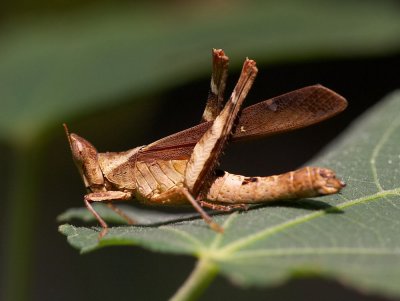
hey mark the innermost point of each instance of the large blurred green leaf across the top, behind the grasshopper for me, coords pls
(55, 66)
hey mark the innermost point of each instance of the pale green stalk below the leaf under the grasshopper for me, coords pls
(198, 281)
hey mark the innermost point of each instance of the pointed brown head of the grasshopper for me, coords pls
(85, 158)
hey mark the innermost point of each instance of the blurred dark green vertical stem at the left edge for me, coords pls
(20, 224)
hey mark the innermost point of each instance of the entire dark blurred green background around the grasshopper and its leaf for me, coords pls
(124, 73)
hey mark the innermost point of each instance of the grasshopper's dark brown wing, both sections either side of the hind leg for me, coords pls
(284, 113)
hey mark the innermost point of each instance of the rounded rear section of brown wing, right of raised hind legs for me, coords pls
(290, 111)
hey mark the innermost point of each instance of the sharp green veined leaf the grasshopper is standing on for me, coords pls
(352, 237)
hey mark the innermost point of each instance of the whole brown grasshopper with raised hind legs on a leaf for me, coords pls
(181, 168)
